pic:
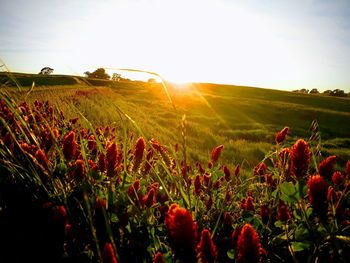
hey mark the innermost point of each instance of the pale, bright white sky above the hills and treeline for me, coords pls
(281, 44)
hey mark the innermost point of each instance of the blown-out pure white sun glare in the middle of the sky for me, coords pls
(179, 41)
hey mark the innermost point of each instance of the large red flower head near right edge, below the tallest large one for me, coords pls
(318, 190)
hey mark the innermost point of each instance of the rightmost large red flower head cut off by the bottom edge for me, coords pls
(248, 245)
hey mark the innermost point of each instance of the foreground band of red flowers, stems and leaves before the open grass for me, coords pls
(74, 192)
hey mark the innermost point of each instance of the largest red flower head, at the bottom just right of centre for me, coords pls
(182, 230)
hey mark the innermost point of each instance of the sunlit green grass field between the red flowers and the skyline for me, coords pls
(244, 119)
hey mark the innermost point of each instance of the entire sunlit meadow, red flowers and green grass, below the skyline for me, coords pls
(96, 171)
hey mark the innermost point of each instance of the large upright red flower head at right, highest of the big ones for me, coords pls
(300, 158)
